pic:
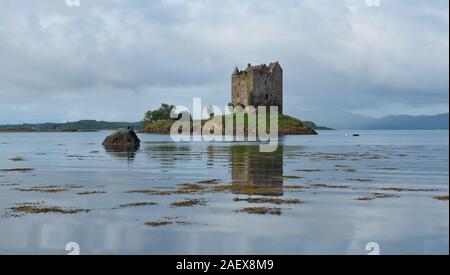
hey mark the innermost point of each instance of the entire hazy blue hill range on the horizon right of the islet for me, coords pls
(346, 120)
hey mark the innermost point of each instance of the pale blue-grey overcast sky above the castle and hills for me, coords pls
(115, 59)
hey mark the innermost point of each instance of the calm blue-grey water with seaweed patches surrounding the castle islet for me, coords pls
(378, 187)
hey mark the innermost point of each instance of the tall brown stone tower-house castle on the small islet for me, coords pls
(260, 85)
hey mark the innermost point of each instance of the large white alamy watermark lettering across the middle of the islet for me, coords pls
(233, 123)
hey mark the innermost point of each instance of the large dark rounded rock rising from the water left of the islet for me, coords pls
(124, 140)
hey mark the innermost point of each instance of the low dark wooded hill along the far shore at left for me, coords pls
(76, 125)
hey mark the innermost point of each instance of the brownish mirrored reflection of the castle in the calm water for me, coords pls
(256, 173)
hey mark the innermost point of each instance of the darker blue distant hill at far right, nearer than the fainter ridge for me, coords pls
(405, 122)
